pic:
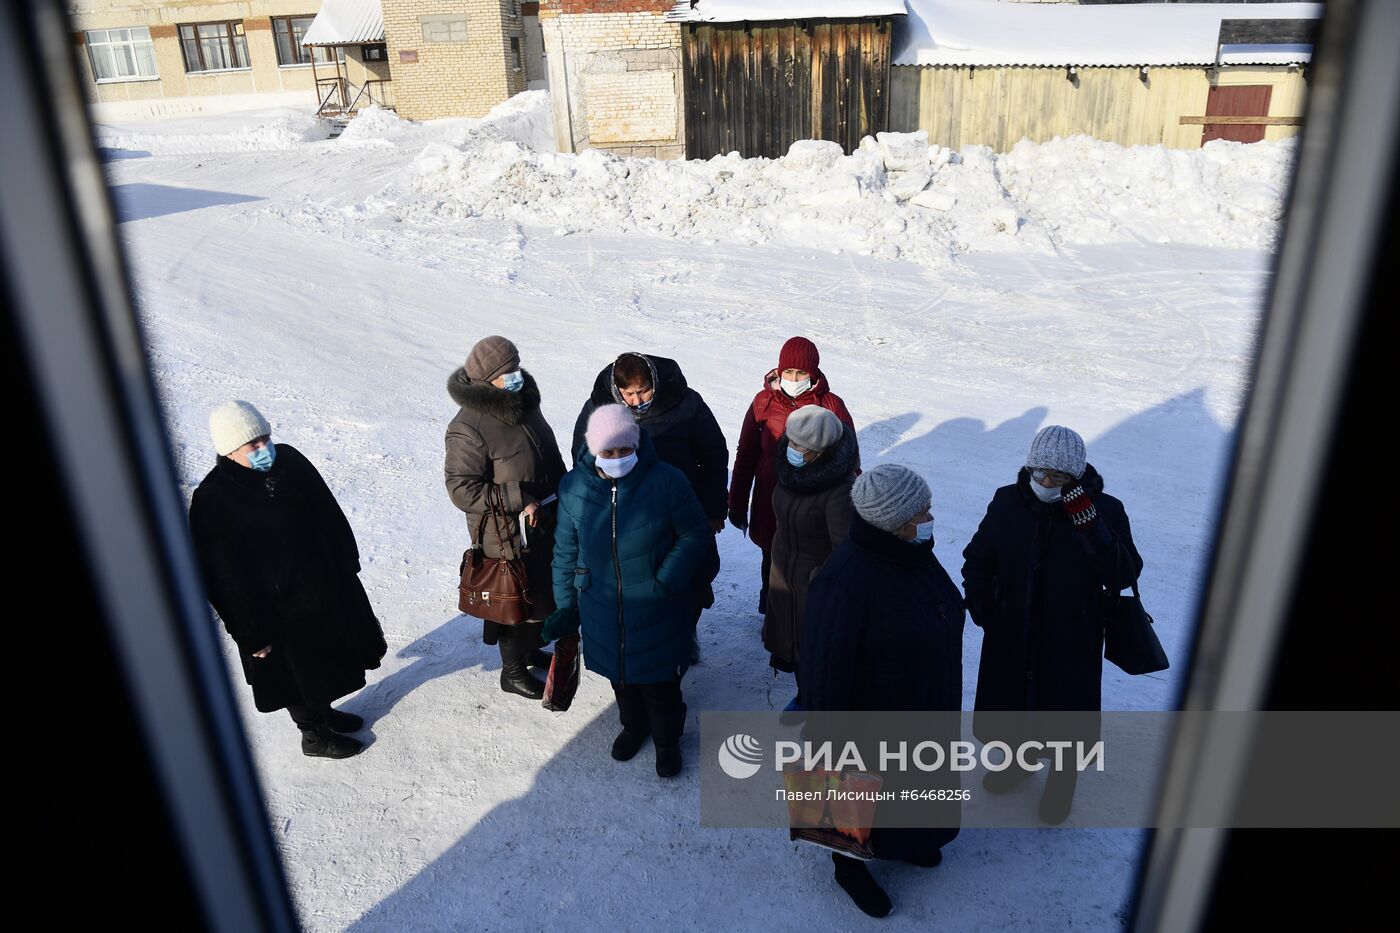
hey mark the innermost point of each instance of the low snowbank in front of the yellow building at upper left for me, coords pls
(251, 131)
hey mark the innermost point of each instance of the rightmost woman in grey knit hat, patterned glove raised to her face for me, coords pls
(1035, 574)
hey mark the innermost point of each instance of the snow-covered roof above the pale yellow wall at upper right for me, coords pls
(989, 33)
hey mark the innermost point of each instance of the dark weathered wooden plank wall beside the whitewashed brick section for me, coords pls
(759, 89)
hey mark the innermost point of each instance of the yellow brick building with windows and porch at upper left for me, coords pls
(444, 58)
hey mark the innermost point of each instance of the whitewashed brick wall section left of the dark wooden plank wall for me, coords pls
(615, 76)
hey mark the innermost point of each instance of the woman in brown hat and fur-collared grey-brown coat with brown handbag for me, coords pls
(502, 455)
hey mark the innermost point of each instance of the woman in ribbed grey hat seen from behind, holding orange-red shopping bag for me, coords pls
(884, 633)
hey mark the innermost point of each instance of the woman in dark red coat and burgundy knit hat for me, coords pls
(796, 383)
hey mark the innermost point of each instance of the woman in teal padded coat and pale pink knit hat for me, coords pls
(631, 543)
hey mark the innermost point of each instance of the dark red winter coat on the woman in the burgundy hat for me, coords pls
(764, 425)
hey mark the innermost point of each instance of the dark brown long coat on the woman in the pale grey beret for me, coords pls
(813, 515)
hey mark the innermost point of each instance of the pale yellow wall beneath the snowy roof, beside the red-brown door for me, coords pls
(999, 107)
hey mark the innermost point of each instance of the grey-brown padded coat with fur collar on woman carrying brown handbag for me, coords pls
(500, 443)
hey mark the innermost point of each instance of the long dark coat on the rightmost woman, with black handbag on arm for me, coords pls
(1035, 586)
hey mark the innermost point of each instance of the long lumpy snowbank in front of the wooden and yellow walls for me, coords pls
(895, 198)
